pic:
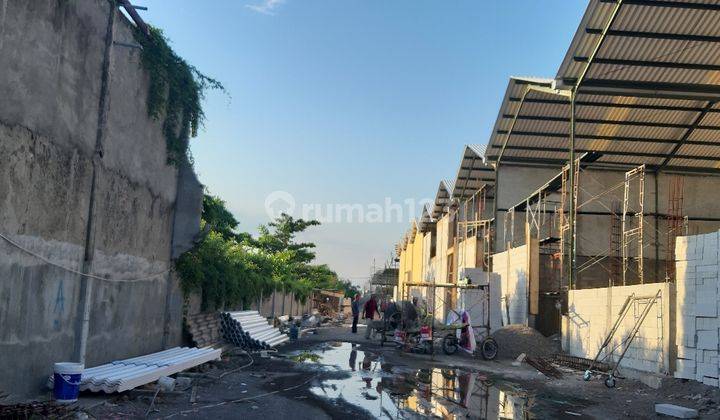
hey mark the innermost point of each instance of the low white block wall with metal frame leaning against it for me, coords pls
(592, 312)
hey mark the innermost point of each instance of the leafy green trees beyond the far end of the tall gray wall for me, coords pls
(233, 269)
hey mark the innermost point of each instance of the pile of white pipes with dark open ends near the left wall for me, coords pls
(249, 330)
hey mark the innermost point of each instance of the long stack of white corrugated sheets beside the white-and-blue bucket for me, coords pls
(123, 375)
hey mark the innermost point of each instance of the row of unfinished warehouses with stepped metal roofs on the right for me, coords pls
(593, 200)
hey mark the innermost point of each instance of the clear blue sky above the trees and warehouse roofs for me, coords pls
(353, 102)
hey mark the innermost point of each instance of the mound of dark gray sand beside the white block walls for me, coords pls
(515, 339)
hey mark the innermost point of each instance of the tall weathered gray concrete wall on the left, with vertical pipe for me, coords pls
(49, 122)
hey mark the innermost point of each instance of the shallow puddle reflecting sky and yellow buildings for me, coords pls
(387, 391)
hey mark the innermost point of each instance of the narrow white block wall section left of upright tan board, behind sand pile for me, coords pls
(512, 266)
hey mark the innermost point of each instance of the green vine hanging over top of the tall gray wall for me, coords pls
(175, 93)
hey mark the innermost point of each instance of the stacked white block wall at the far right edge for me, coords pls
(698, 324)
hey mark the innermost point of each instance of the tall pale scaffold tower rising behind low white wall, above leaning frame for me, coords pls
(632, 222)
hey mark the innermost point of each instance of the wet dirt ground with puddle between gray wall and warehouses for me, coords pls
(336, 374)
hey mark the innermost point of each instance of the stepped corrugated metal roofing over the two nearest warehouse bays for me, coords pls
(647, 97)
